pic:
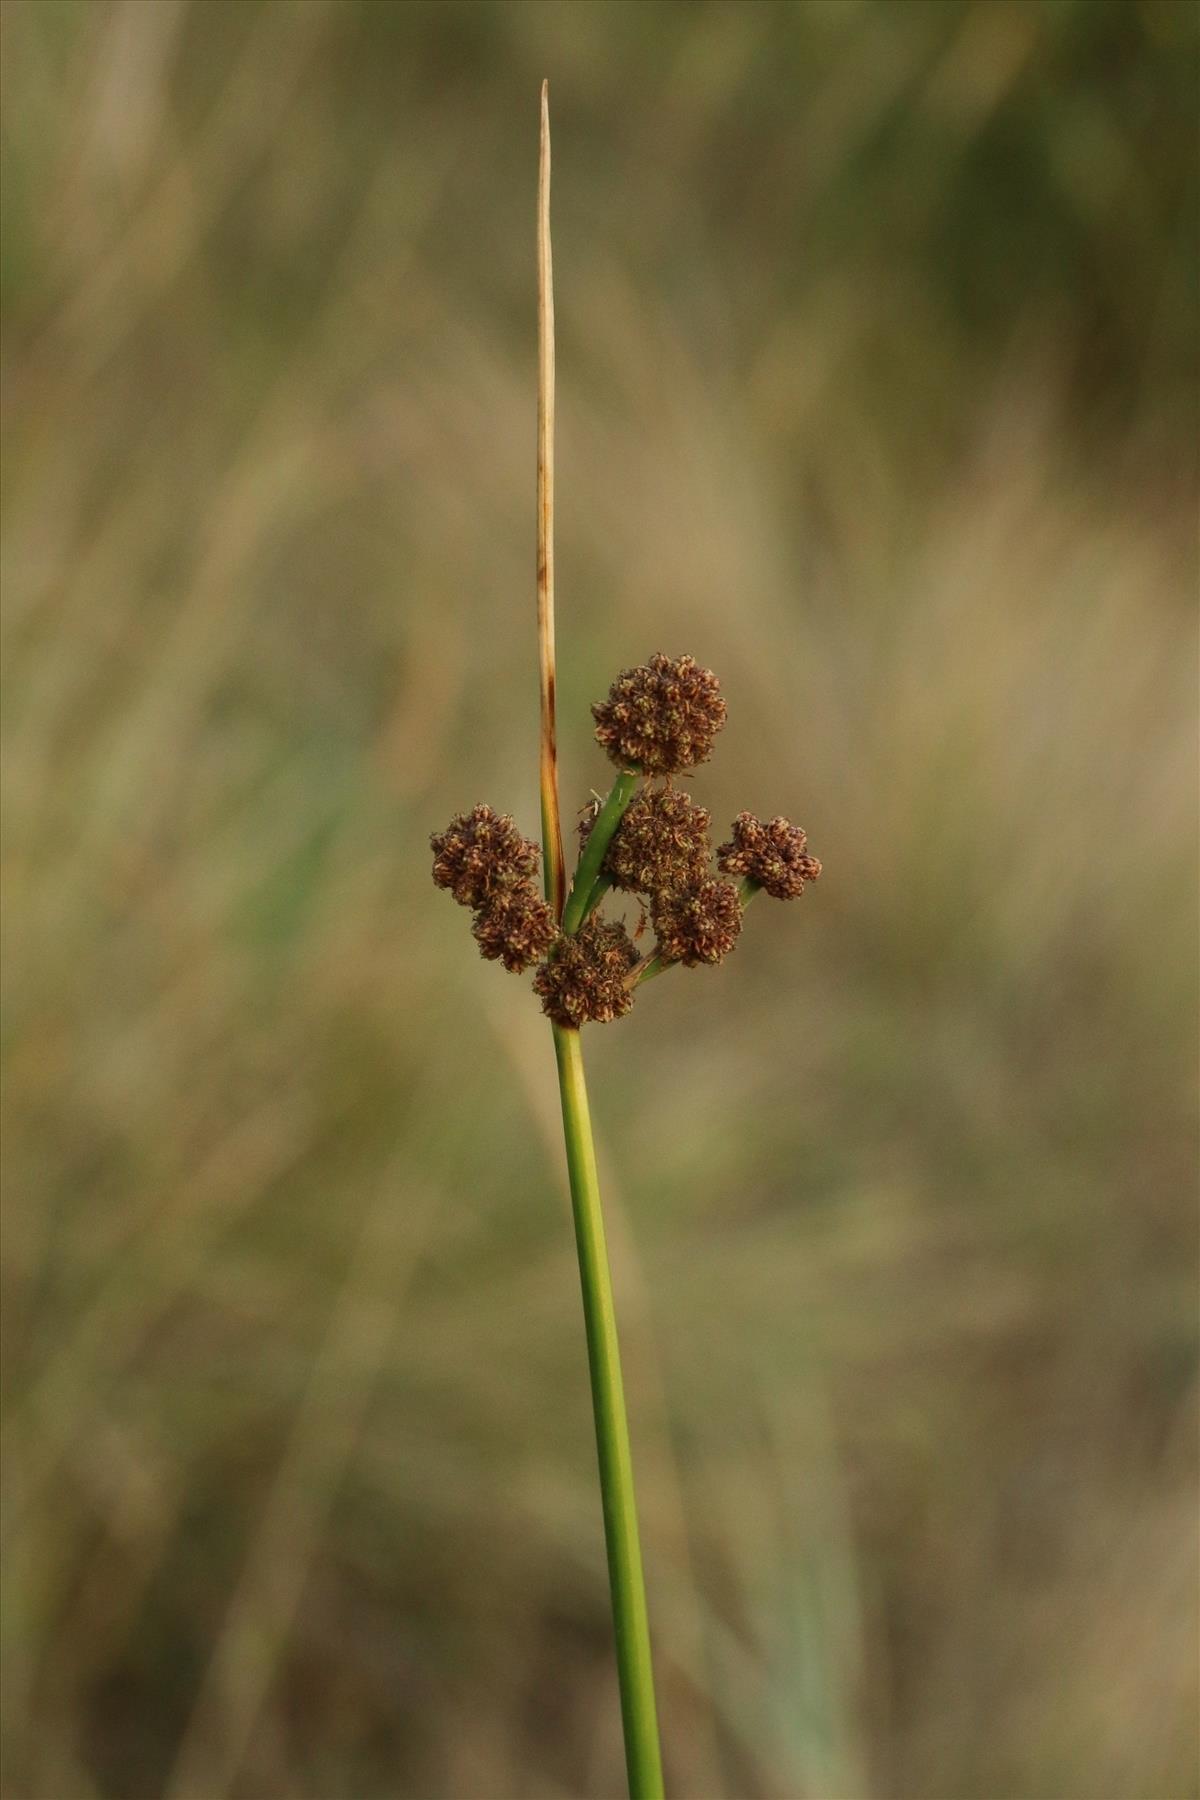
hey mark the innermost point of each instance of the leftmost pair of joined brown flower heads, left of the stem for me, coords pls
(485, 863)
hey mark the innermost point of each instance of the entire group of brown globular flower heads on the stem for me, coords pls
(659, 721)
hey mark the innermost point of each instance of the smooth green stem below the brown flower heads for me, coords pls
(613, 1434)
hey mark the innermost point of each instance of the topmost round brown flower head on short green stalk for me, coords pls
(661, 717)
